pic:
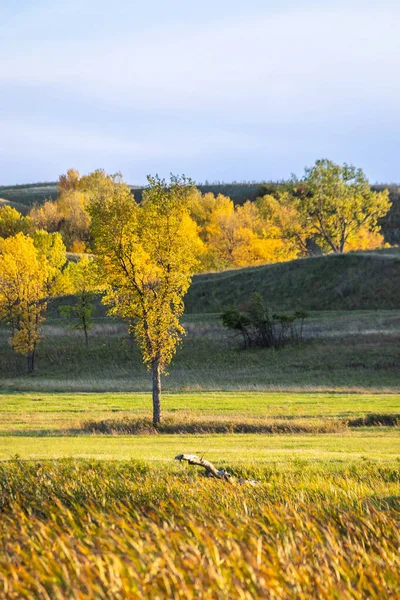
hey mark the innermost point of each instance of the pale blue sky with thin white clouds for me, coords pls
(220, 90)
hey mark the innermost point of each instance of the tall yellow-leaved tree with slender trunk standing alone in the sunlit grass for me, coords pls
(148, 254)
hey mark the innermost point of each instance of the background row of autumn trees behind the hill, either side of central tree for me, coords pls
(331, 209)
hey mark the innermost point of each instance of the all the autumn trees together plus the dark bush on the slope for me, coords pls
(144, 254)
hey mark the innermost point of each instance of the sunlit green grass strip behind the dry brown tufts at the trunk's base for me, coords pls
(46, 412)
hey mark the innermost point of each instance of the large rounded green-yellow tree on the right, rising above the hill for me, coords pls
(332, 207)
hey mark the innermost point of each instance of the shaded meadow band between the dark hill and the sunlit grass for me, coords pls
(357, 350)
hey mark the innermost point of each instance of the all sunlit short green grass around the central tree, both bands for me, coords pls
(52, 426)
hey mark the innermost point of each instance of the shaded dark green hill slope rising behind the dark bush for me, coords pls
(356, 281)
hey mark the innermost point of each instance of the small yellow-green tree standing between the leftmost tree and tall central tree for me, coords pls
(80, 280)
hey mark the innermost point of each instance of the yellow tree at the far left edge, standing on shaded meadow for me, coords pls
(28, 276)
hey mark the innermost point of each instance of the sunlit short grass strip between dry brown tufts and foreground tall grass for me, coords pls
(382, 446)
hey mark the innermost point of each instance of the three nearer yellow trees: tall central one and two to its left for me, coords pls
(145, 255)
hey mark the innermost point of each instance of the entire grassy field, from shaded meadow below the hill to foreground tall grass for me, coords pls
(89, 511)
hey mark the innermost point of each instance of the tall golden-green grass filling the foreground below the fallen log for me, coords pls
(75, 529)
